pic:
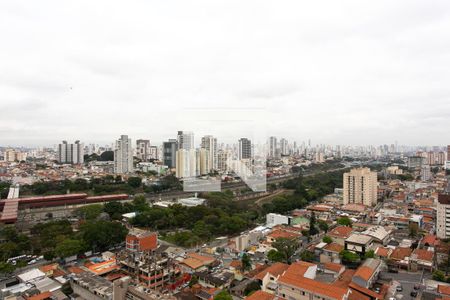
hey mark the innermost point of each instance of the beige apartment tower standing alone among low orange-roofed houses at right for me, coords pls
(360, 186)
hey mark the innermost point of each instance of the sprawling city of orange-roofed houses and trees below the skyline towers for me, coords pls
(349, 227)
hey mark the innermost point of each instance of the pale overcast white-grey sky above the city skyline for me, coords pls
(338, 72)
